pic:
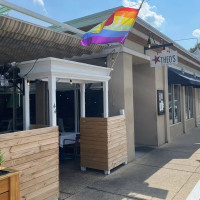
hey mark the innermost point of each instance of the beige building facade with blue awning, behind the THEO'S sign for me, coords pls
(134, 85)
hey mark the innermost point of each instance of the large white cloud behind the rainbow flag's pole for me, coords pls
(147, 12)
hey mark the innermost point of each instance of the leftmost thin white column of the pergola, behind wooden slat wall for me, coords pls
(26, 99)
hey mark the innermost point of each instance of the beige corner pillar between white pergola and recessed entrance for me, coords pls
(121, 96)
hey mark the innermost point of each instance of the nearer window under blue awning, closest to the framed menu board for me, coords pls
(174, 104)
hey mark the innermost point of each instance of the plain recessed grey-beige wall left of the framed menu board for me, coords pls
(145, 113)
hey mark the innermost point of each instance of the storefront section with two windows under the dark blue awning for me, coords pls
(183, 106)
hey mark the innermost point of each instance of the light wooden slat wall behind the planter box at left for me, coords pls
(36, 154)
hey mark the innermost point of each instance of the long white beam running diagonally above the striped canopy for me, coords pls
(40, 17)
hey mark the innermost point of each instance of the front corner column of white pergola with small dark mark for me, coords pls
(52, 100)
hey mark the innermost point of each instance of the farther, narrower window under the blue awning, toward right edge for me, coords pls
(189, 102)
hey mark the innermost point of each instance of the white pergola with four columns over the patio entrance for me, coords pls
(53, 70)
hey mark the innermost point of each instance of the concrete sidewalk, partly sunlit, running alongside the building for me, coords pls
(169, 172)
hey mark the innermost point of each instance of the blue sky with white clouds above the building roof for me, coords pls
(177, 19)
